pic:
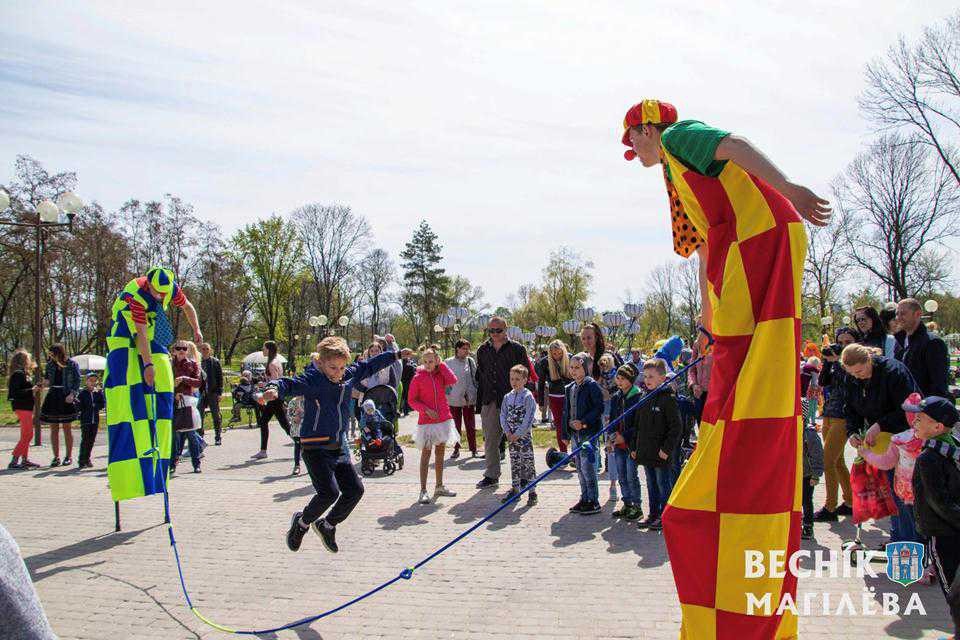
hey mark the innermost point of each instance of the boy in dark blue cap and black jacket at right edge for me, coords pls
(936, 491)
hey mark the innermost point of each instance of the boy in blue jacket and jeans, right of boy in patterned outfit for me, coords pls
(582, 419)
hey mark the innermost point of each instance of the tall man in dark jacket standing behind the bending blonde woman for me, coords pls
(925, 355)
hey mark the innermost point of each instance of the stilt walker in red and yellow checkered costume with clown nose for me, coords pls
(740, 490)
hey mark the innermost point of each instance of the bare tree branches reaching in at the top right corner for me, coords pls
(917, 88)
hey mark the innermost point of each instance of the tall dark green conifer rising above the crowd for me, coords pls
(425, 283)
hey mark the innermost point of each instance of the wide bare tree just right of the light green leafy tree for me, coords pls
(334, 240)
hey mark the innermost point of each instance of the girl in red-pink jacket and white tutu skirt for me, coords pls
(435, 427)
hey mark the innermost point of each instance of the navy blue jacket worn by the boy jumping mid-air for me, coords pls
(326, 404)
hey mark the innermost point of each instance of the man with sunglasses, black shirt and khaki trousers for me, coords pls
(495, 357)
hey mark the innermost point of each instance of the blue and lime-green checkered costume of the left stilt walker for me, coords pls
(138, 425)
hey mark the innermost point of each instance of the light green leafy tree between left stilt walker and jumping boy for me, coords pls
(271, 250)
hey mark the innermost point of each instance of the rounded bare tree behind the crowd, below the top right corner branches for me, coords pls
(900, 208)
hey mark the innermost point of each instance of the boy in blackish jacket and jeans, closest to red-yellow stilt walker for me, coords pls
(657, 436)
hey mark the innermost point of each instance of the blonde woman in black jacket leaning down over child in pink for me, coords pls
(875, 390)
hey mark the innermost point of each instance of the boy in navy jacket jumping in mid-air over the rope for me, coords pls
(326, 390)
